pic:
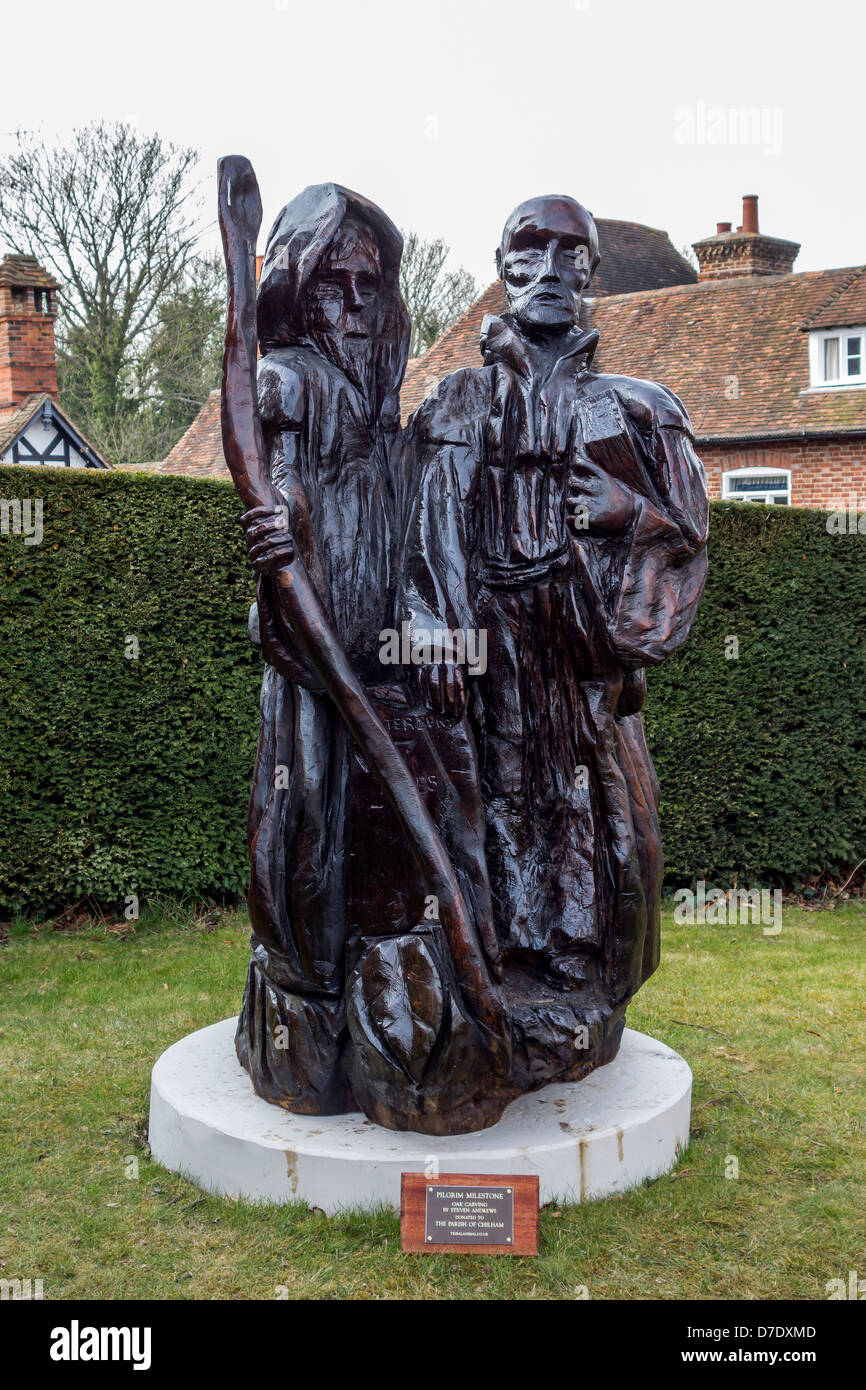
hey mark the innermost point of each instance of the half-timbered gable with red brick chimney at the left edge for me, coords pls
(34, 430)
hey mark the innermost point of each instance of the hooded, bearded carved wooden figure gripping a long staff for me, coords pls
(334, 338)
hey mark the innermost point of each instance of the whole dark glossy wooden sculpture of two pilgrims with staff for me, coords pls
(455, 861)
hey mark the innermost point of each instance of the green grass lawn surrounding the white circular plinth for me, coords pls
(772, 1027)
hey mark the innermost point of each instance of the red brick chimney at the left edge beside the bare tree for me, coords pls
(28, 309)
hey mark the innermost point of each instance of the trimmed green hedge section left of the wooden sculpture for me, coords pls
(122, 776)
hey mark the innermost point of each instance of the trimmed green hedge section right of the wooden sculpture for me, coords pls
(762, 760)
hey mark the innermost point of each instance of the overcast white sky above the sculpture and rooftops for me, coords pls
(451, 112)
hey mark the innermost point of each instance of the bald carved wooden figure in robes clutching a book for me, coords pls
(564, 514)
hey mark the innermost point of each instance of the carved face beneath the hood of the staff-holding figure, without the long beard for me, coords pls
(345, 293)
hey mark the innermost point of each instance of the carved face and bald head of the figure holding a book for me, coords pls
(550, 250)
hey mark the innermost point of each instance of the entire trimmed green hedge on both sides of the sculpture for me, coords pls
(122, 776)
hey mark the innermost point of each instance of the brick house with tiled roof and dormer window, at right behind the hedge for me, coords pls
(769, 363)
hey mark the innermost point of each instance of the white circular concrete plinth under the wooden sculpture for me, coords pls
(623, 1124)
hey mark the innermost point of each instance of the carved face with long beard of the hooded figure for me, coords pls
(345, 304)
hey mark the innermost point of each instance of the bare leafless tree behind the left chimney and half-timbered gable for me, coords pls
(112, 216)
